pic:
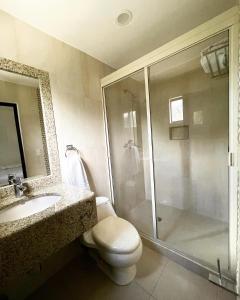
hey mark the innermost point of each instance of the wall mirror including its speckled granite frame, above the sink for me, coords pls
(28, 145)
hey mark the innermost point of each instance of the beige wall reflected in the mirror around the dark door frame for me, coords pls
(27, 102)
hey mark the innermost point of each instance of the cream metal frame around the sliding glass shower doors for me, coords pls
(228, 20)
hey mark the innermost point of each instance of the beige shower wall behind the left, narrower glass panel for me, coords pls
(124, 97)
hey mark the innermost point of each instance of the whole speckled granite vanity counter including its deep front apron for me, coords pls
(27, 242)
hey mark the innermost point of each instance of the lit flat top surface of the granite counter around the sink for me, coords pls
(70, 196)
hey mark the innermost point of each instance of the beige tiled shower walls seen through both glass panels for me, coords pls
(190, 174)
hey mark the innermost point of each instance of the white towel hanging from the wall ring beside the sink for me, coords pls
(75, 171)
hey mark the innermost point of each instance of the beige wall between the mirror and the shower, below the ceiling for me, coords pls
(76, 94)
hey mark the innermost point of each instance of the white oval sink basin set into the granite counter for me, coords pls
(28, 207)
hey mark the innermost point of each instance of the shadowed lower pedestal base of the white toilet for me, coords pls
(120, 276)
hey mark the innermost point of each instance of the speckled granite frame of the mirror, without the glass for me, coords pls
(49, 129)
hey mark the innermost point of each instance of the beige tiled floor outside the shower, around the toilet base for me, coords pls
(157, 278)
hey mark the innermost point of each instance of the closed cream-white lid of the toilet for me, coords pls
(116, 235)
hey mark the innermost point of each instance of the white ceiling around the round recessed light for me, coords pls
(90, 25)
